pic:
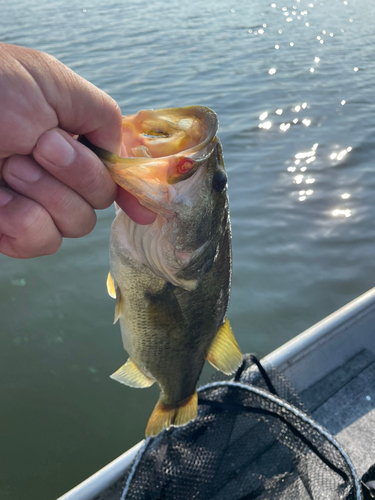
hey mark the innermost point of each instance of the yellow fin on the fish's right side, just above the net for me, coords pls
(224, 353)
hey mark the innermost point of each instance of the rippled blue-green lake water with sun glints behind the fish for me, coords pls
(293, 86)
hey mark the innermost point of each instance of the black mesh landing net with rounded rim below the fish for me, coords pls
(247, 443)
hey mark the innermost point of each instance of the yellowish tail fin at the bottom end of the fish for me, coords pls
(164, 416)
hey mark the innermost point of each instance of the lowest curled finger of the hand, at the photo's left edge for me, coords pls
(26, 228)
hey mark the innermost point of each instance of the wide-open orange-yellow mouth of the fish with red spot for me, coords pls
(162, 148)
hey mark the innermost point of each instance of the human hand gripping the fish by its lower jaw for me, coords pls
(50, 183)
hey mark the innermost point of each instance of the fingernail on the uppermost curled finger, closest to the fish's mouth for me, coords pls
(56, 149)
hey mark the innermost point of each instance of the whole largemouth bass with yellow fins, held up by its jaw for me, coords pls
(171, 279)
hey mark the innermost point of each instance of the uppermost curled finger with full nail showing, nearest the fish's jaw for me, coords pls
(76, 166)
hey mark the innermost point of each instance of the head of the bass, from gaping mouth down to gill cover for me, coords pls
(174, 166)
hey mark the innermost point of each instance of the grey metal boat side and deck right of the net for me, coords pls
(332, 366)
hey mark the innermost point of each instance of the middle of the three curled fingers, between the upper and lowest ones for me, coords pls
(72, 215)
